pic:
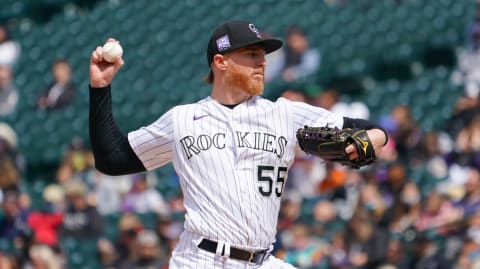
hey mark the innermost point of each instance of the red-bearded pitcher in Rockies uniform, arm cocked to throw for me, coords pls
(232, 150)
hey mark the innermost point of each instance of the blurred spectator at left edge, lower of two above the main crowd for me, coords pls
(8, 92)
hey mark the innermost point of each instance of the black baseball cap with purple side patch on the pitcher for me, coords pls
(238, 34)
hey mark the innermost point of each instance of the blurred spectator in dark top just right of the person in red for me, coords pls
(80, 220)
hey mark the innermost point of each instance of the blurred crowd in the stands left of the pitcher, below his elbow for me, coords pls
(125, 220)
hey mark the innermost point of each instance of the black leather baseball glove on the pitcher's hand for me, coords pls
(330, 143)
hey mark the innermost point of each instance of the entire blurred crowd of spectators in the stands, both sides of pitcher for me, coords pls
(417, 207)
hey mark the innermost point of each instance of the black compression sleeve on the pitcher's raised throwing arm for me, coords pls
(111, 149)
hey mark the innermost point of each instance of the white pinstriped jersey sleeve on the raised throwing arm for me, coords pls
(153, 144)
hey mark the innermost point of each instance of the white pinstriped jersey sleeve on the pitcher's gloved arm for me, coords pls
(305, 114)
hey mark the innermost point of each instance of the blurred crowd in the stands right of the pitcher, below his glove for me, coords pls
(417, 207)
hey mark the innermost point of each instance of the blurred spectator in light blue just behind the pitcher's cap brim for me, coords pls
(298, 59)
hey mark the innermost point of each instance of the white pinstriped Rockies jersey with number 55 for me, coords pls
(232, 163)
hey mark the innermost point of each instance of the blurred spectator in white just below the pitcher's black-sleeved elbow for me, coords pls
(143, 198)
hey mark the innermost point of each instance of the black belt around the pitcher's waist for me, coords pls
(256, 257)
